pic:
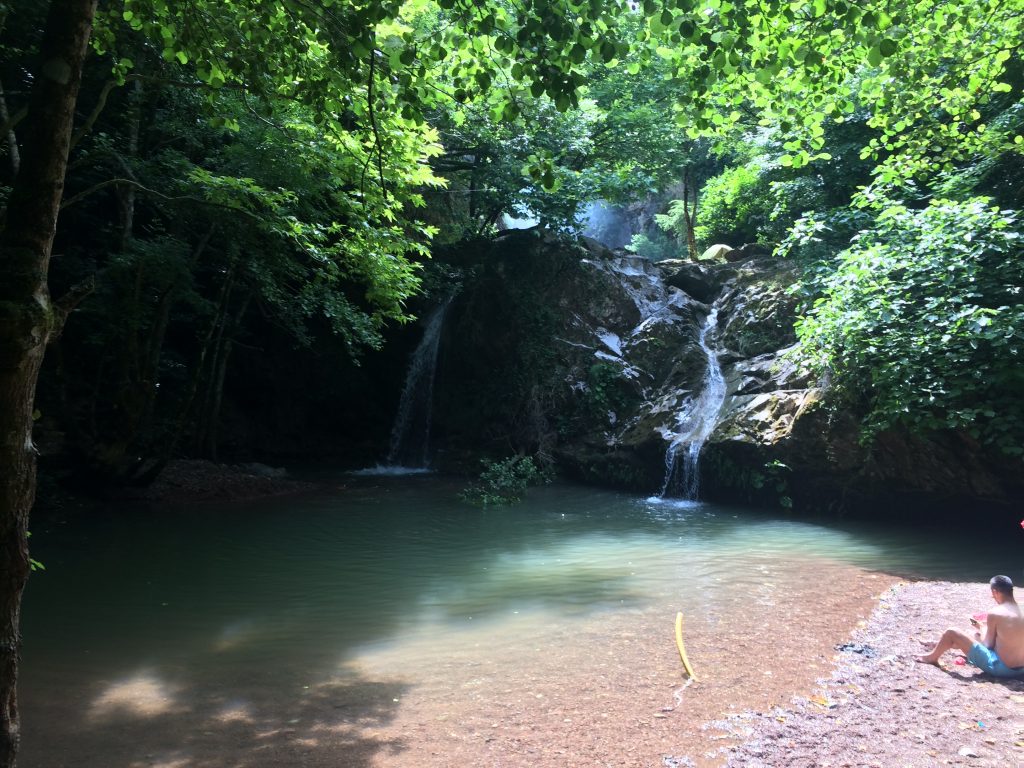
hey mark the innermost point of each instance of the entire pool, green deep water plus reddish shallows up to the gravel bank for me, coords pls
(388, 624)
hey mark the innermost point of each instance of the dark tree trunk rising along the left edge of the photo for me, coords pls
(28, 319)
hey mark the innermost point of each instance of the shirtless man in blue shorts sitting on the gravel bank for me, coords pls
(1001, 652)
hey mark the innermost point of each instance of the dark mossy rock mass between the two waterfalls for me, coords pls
(577, 352)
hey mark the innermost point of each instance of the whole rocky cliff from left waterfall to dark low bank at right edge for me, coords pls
(590, 357)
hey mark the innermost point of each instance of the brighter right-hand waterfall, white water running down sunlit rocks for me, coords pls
(695, 423)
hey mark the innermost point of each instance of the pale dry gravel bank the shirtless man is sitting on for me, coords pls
(881, 708)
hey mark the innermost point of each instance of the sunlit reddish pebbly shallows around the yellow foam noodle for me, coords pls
(616, 695)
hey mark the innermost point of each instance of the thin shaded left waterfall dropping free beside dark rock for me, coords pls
(411, 433)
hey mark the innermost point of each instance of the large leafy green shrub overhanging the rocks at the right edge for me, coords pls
(923, 322)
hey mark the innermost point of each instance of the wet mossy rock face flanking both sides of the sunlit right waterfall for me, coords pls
(587, 356)
